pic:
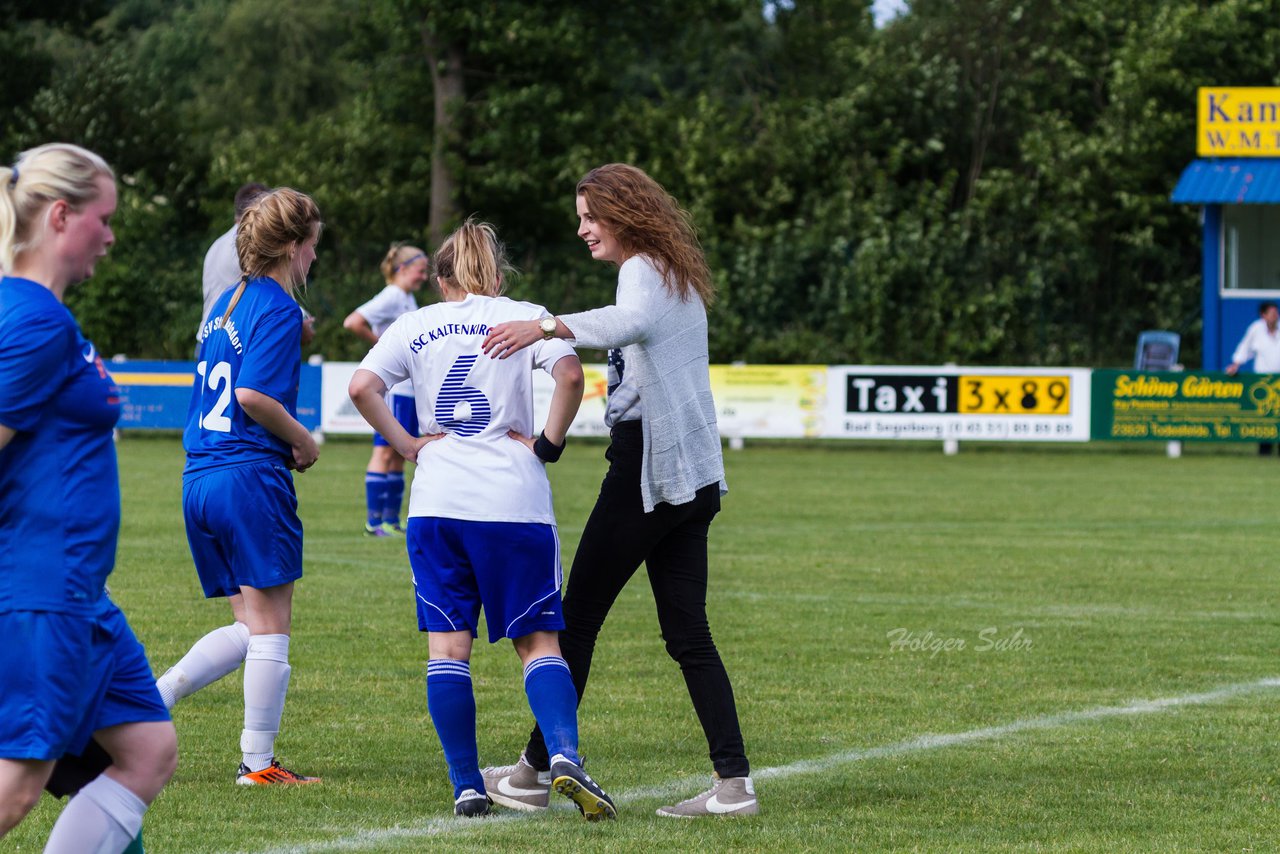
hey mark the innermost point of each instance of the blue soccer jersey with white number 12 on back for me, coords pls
(259, 349)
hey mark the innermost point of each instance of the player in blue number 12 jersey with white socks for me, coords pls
(243, 441)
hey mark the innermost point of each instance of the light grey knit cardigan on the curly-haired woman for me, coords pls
(664, 341)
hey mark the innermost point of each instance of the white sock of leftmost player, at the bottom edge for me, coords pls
(102, 819)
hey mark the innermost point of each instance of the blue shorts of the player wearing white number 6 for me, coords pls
(510, 568)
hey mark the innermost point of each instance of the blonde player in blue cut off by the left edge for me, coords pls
(71, 668)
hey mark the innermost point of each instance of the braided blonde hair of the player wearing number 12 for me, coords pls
(268, 234)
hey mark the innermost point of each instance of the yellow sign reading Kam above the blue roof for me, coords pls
(1238, 122)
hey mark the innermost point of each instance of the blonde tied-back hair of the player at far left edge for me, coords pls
(42, 176)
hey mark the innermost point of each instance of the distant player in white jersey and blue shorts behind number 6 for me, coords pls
(405, 272)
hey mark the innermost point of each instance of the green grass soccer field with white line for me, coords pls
(1118, 613)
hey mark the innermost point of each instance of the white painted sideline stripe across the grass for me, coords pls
(440, 826)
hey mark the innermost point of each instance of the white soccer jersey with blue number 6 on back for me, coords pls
(477, 472)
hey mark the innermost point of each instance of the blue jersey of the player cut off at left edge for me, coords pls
(60, 486)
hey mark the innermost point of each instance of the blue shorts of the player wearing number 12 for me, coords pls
(244, 528)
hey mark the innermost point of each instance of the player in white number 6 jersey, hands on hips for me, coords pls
(482, 529)
